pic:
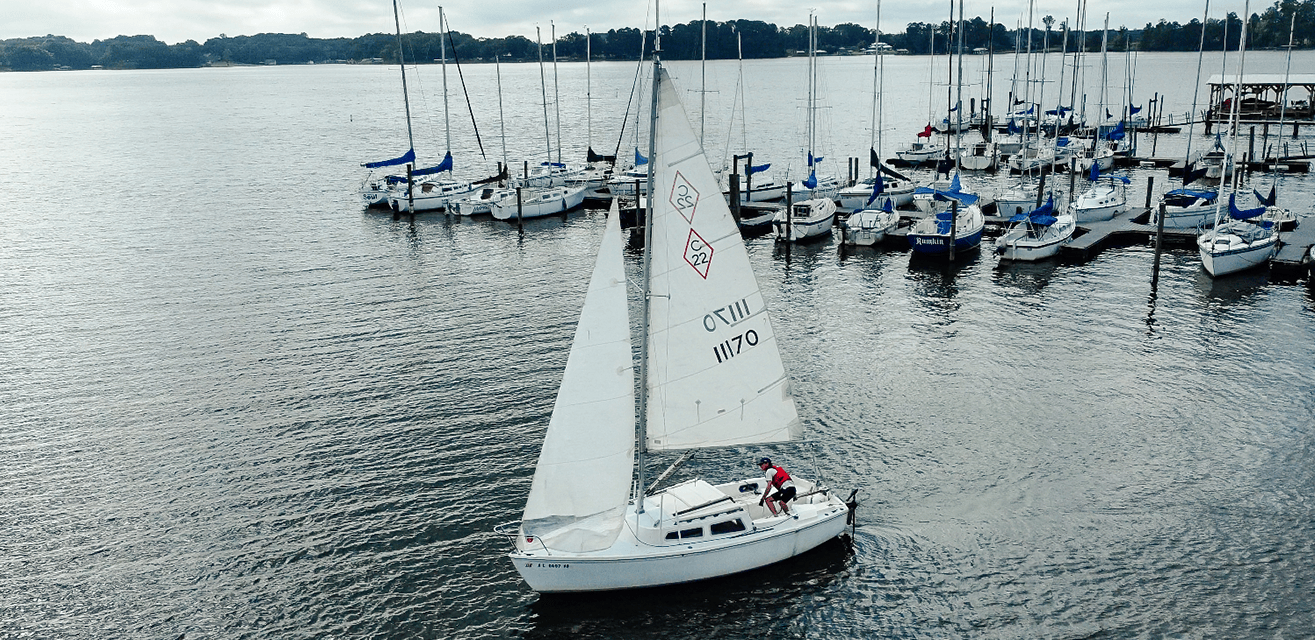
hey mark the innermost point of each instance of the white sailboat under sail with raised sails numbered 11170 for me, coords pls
(711, 375)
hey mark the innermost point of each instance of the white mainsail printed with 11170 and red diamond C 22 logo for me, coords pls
(716, 377)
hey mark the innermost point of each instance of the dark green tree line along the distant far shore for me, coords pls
(757, 39)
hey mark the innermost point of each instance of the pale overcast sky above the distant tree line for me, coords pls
(179, 20)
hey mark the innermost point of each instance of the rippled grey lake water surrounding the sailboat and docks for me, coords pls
(235, 405)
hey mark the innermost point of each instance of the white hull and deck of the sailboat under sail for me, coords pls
(690, 532)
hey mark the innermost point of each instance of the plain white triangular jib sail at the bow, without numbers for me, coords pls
(582, 484)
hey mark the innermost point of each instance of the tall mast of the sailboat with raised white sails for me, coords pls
(642, 446)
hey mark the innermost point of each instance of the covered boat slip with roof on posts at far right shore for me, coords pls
(1263, 97)
